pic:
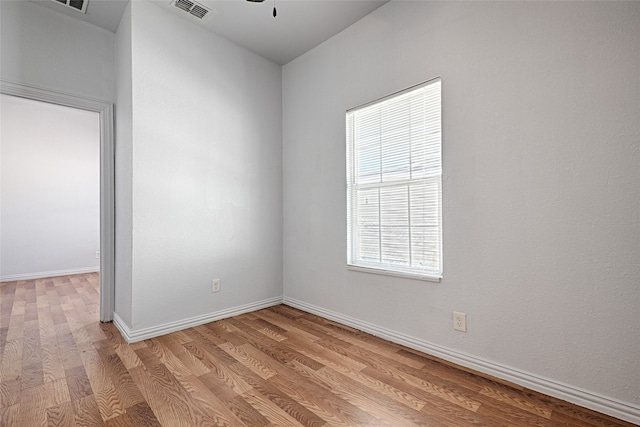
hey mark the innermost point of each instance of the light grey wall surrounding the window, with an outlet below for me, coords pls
(541, 171)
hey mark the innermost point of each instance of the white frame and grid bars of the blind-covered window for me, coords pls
(355, 264)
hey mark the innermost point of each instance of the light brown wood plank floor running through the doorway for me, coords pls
(276, 367)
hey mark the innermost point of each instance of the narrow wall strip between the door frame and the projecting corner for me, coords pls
(123, 171)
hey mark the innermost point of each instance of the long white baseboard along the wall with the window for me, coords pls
(587, 399)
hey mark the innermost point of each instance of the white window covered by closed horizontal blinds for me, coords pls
(394, 185)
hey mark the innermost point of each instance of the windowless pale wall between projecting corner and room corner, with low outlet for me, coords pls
(207, 171)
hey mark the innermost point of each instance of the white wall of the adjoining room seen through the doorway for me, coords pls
(50, 189)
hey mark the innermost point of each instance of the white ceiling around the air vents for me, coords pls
(300, 25)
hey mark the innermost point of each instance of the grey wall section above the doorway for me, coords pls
(46, 49)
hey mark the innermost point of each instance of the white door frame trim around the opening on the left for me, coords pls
(107, 178)
